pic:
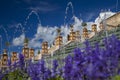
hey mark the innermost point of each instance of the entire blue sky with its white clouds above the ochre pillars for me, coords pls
(39, 19)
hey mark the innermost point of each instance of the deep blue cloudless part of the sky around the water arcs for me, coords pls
(50, 12)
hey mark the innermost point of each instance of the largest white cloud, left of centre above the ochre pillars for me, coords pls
(43, 33)
